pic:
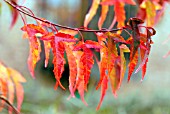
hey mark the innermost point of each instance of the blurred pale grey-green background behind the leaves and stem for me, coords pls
(152, 96)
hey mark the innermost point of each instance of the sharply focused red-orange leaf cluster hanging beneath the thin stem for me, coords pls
(112, 63)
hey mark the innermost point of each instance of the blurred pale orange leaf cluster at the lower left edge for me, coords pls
(10, 82)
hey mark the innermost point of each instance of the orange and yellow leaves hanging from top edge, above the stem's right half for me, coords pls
(149, 10)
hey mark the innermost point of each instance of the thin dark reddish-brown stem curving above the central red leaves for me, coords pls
(58, 25)
